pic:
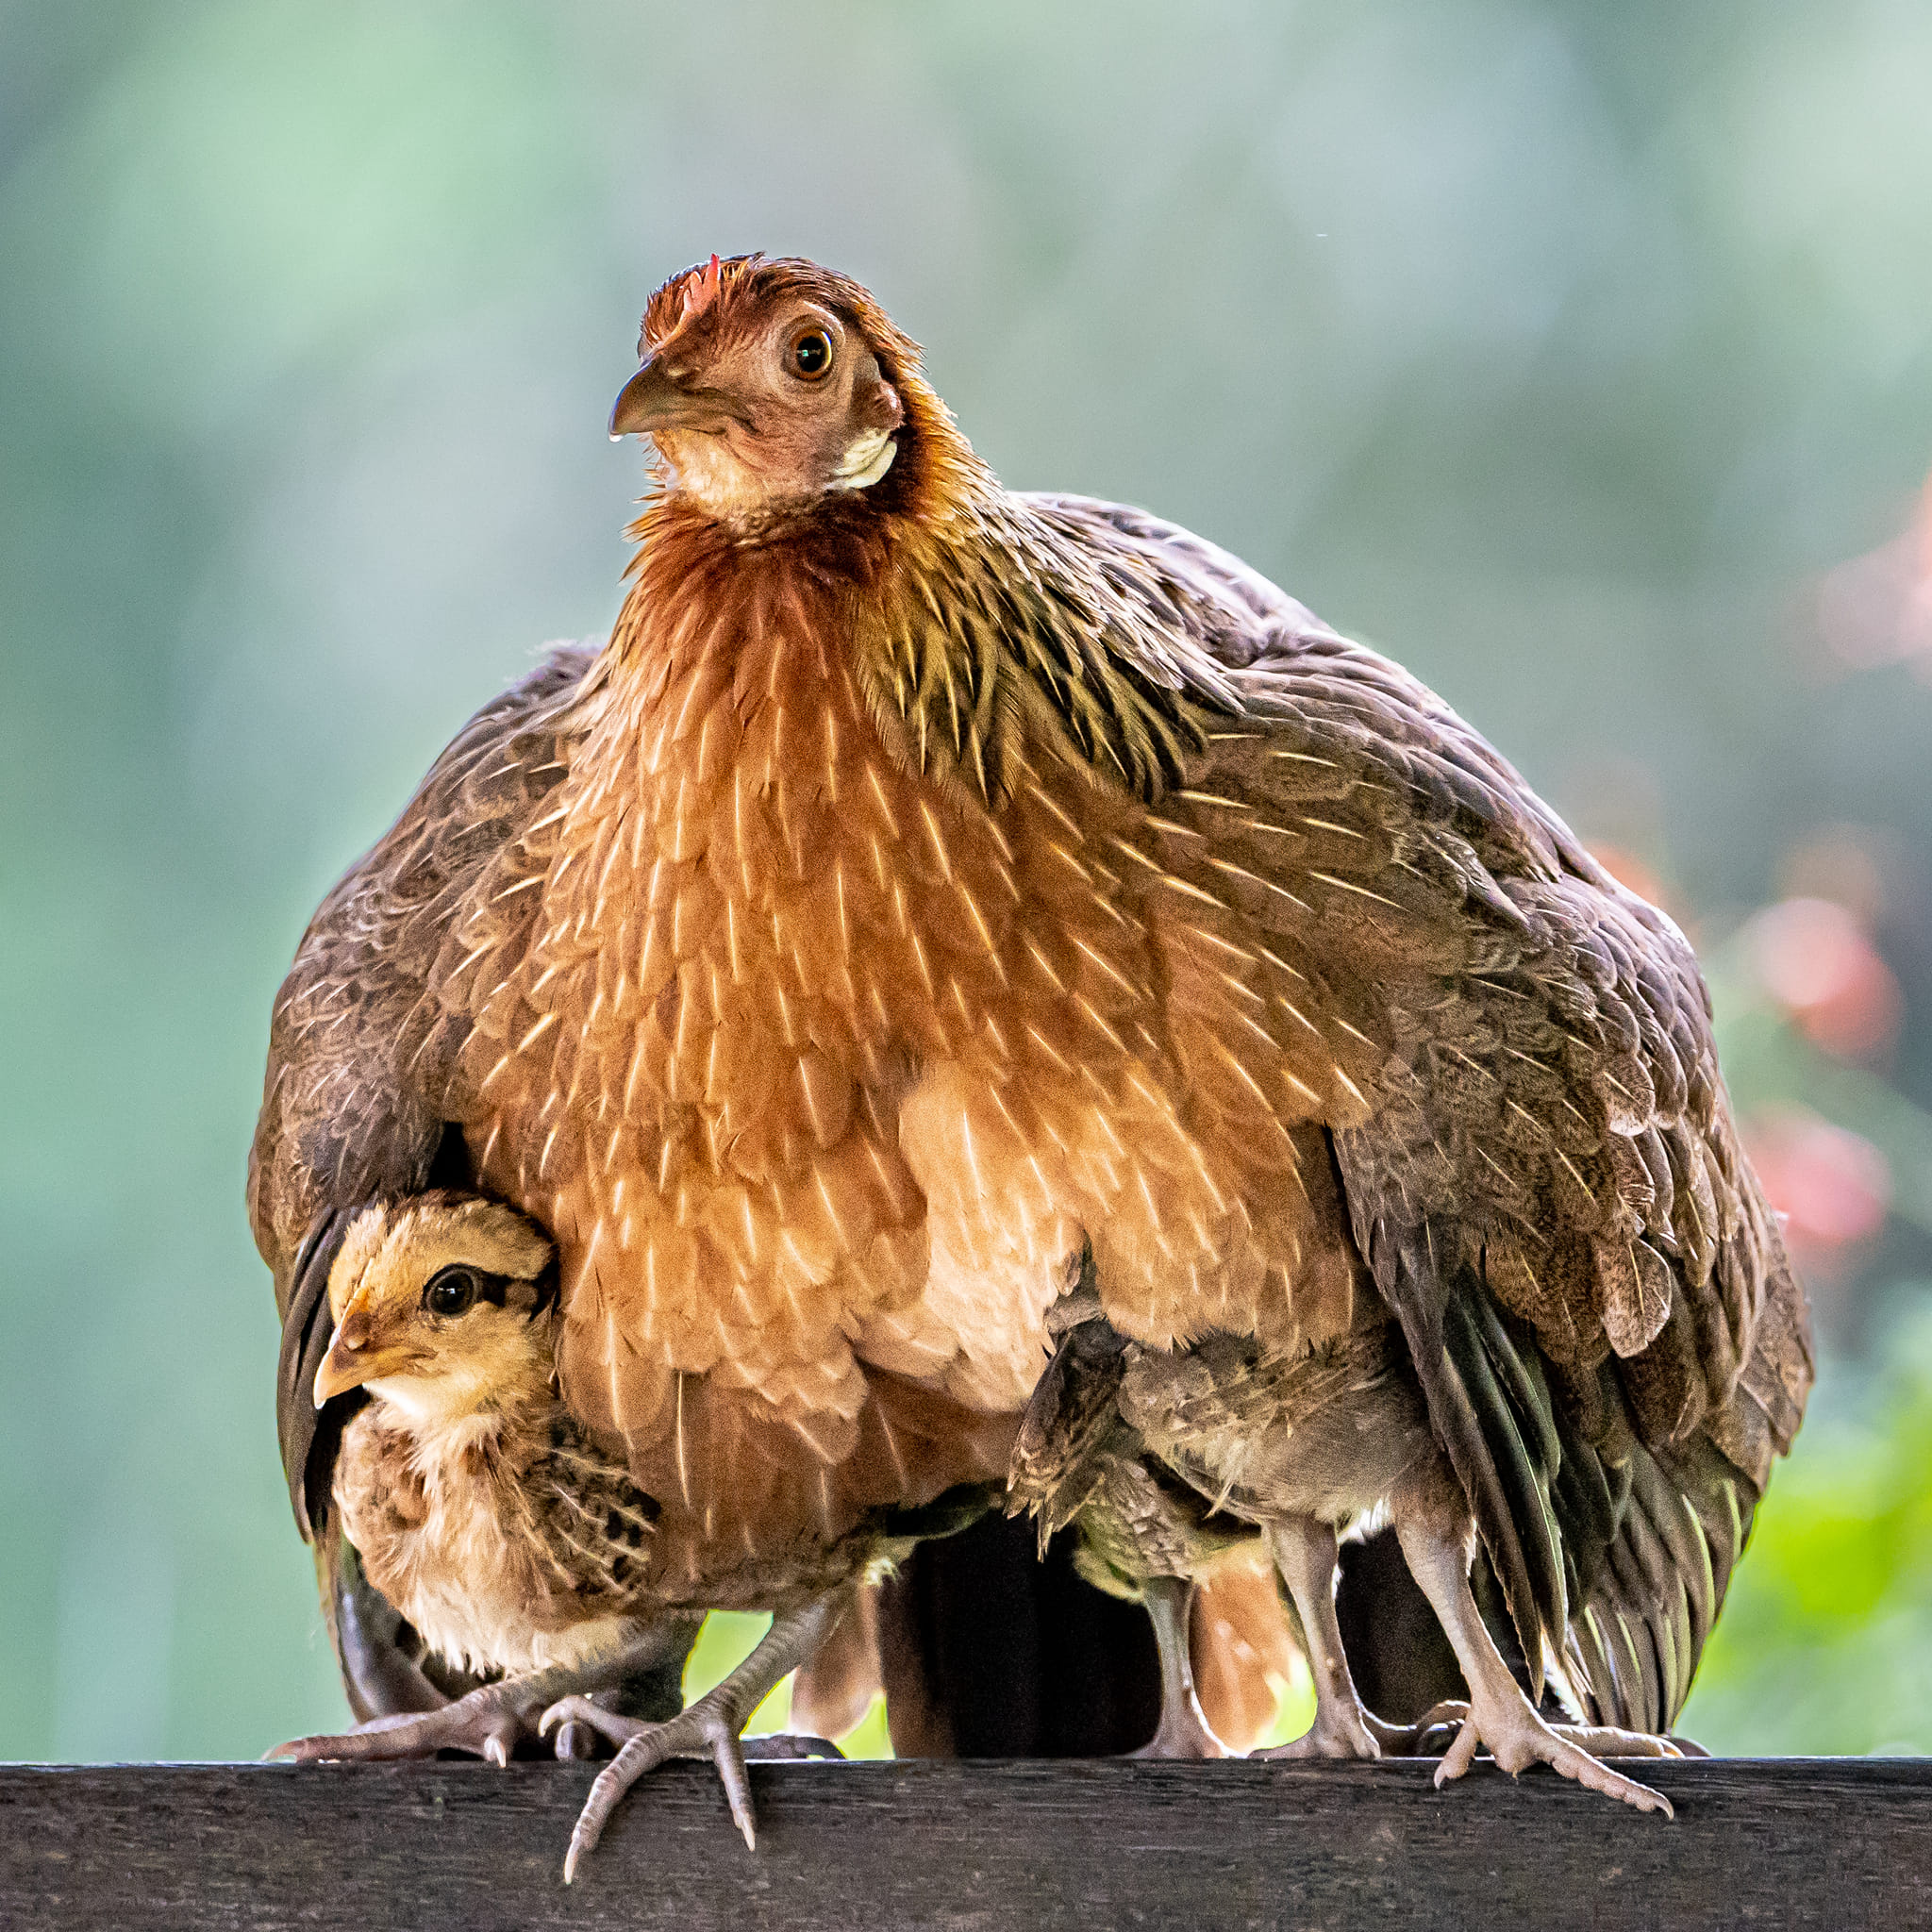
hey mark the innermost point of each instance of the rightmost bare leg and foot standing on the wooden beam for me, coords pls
(1500, 1717)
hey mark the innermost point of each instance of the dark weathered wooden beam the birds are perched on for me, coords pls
(1833, 1844)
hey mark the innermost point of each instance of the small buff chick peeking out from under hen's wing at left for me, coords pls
(507, 1533)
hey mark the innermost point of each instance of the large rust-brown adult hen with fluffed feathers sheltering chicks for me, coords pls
(936, 884)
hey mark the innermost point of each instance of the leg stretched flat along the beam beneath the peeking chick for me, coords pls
(496, 1719)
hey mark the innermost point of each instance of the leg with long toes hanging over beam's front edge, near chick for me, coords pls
(708, 1728)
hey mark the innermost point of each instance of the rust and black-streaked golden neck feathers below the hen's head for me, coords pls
(979, 629)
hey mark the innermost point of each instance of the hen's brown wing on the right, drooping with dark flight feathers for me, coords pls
(1550, 1193)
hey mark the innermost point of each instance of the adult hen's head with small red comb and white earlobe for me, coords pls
(770, 385)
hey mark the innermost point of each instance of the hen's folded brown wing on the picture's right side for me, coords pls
(1527, 1116)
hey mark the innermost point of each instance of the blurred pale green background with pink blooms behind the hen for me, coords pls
(1579, 356)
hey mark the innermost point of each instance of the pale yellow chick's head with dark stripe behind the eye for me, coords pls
(438, 1305)
